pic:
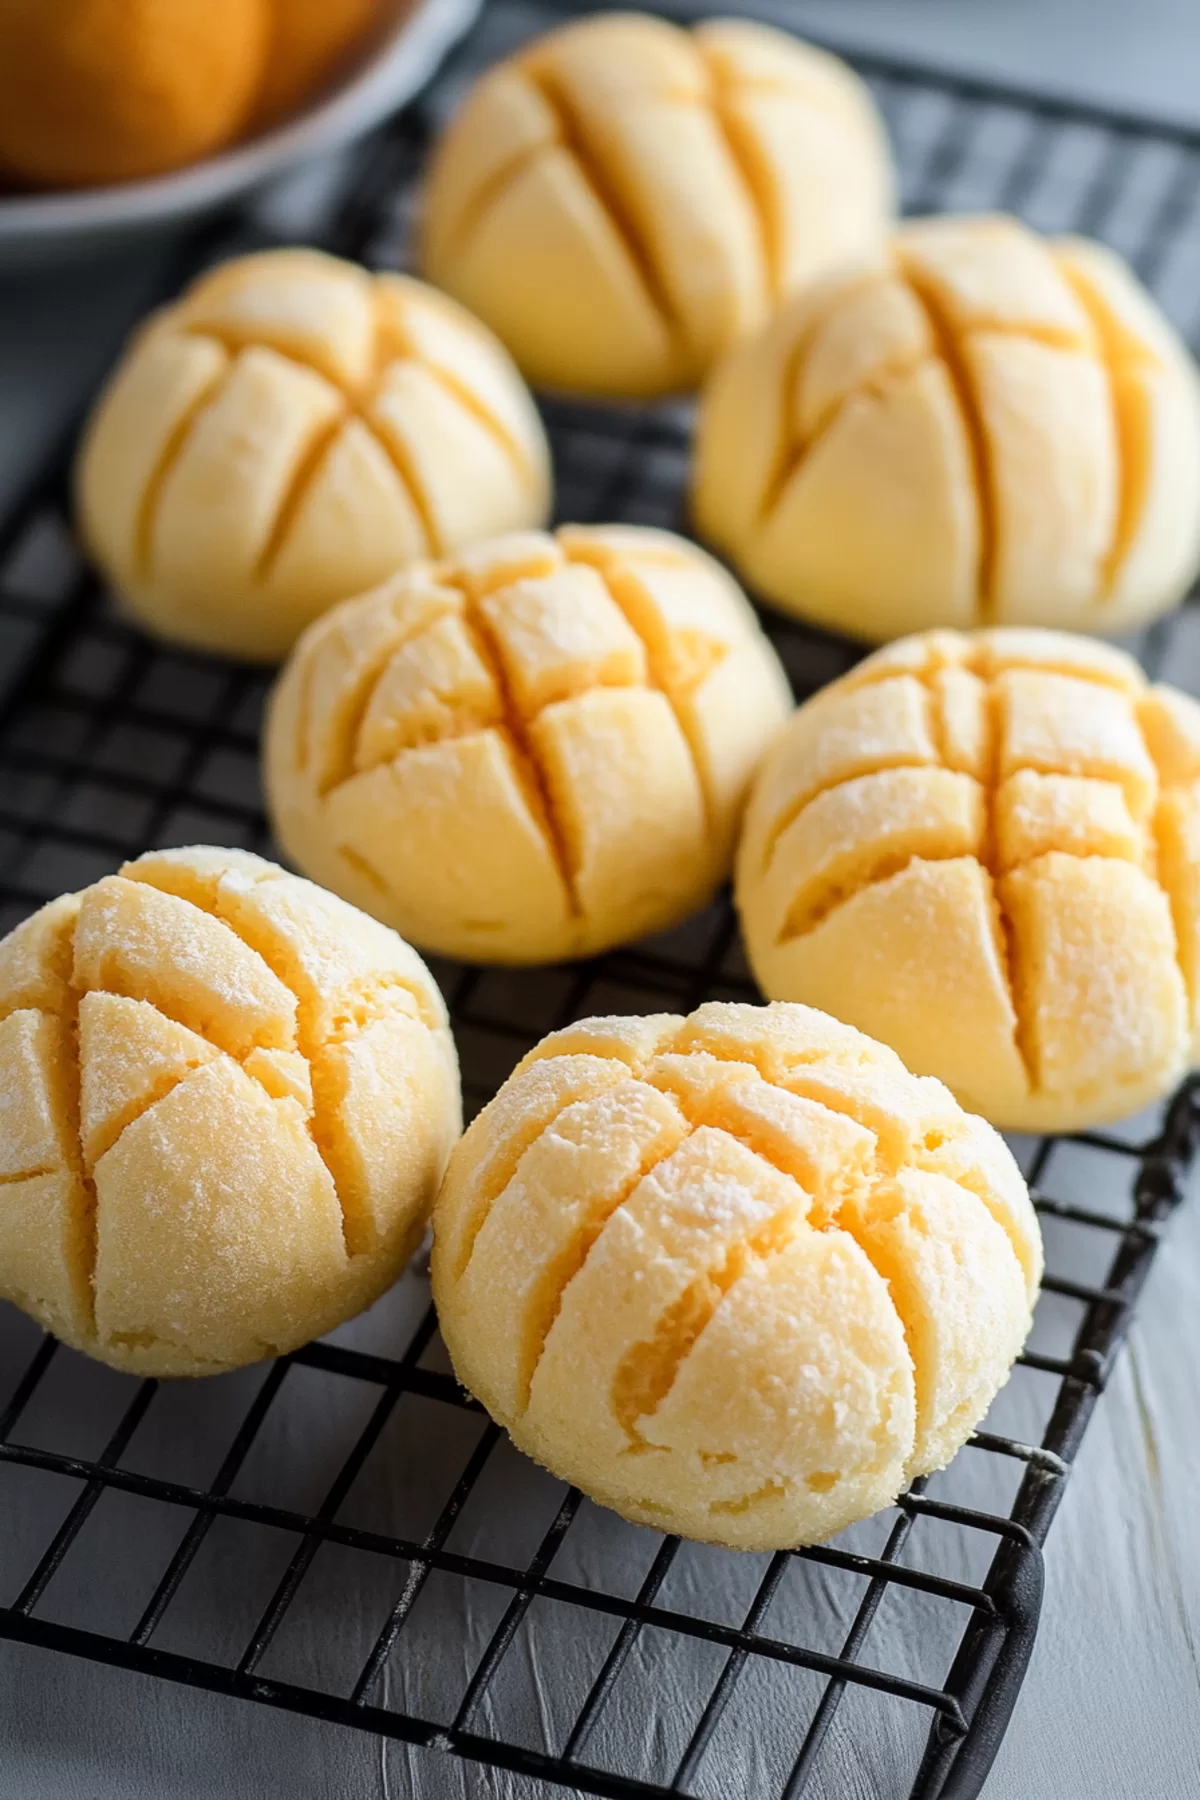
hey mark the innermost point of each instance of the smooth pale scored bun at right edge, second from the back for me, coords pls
(980, 427)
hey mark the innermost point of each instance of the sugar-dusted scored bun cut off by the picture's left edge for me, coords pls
(226, 1106)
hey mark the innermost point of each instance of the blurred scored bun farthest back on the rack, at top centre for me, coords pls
(622, 201)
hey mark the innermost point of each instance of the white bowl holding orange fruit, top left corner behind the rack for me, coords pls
(37, 229)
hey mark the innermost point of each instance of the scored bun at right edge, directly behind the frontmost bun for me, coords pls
(985, 850)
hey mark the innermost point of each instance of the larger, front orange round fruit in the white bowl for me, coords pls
(112, 91)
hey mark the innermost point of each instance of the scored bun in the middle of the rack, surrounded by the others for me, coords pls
(532, 753)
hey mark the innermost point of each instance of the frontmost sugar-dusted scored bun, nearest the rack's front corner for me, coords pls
(739, 1275)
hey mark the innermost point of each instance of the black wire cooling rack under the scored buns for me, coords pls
(443, 1569)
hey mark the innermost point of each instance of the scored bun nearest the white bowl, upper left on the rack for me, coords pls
(292, 431)
